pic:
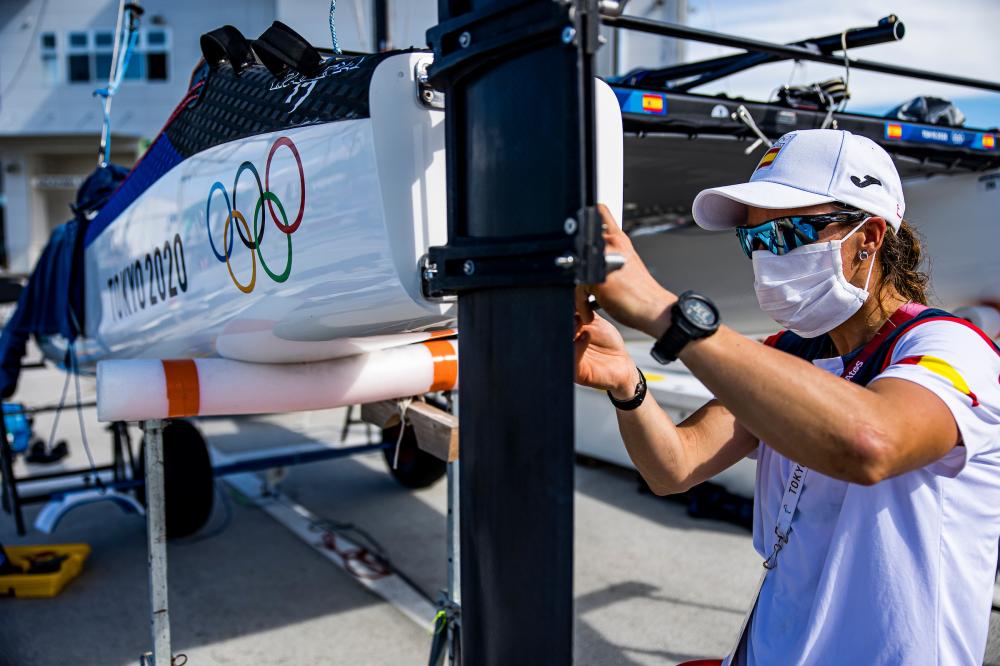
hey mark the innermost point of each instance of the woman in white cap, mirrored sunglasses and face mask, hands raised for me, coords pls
(875, 420)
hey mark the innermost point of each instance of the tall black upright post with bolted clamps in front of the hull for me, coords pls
(518, 84)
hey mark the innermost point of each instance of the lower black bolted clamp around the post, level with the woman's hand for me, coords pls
(575, 256)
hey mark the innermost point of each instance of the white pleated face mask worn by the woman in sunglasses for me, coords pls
(805, 290)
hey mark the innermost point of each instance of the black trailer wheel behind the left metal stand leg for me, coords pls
(187, 478)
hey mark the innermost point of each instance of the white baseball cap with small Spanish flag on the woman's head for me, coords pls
(806, 168)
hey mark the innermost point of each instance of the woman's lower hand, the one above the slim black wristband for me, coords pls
(601, 359)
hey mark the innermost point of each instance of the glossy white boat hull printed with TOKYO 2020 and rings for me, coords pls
(297, 245)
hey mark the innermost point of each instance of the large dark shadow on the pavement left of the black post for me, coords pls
(253, 578)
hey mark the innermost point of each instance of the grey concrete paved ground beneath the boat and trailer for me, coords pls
(652, 585)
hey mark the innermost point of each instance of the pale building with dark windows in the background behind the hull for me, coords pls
(55, 53)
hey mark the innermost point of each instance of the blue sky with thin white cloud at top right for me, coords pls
(956, 37)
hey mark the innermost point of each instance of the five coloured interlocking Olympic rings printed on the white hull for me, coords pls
(252, 240)
